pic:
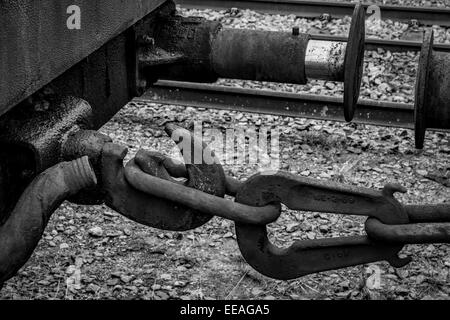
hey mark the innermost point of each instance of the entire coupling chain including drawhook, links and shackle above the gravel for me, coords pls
(146, 191)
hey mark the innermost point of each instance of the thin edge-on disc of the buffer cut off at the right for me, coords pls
(421, 89)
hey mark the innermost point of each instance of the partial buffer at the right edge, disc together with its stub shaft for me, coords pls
(432, 100)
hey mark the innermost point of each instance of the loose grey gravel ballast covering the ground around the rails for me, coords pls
(94, 253)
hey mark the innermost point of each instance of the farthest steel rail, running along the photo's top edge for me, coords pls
(313, 9)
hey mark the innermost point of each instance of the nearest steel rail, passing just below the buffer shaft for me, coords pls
(211, 96)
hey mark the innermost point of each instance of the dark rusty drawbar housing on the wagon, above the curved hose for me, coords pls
(31, 141)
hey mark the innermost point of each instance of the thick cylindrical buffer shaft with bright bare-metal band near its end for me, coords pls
(210, 52)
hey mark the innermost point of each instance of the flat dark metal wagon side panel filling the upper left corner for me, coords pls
(36, 45)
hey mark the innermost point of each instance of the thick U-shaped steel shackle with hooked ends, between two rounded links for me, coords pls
(305, 257)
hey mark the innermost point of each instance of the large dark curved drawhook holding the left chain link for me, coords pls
(152, 210)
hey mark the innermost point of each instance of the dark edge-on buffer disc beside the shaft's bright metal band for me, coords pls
(354, 62)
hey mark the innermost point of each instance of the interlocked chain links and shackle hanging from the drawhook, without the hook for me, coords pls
(389, 226)
